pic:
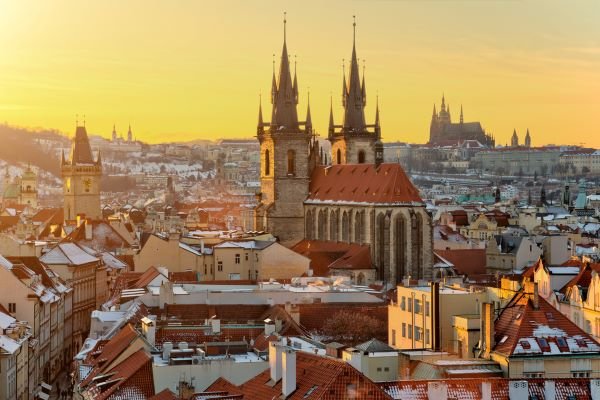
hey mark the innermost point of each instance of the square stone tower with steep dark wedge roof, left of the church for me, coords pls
(81, 179)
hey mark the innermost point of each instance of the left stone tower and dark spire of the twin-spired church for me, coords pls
(288, 153)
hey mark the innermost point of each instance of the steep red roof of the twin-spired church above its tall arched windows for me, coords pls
(366, 183)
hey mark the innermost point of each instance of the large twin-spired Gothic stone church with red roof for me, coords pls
(355, 199)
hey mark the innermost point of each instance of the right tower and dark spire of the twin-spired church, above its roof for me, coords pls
(353, 142)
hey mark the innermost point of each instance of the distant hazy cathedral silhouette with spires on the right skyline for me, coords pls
(443, 131)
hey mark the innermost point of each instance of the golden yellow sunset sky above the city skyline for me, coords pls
(186, 70)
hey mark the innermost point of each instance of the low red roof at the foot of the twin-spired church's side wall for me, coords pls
(325, 256)
